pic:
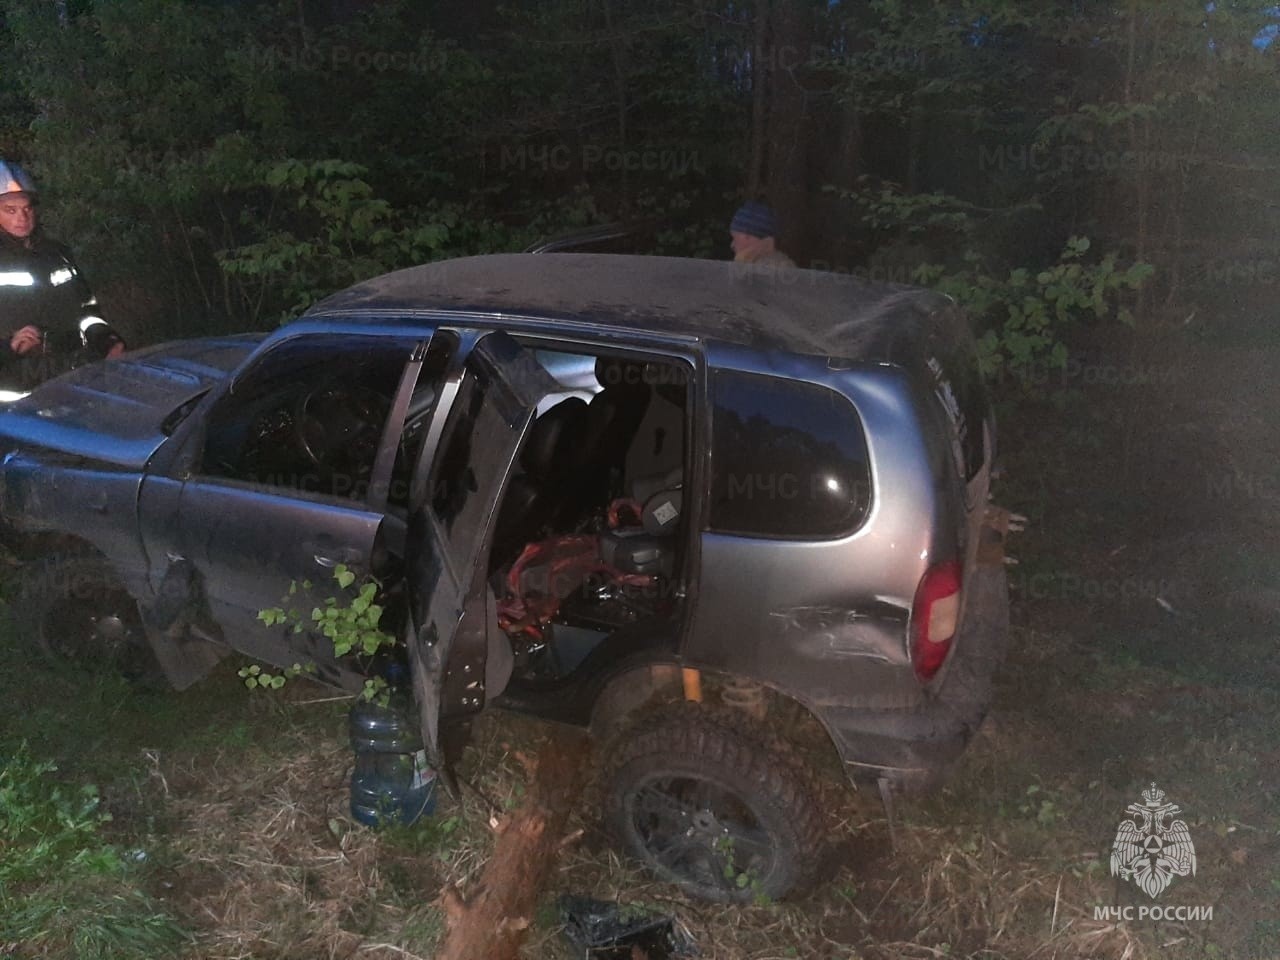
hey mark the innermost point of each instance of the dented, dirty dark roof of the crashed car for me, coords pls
(806, 312)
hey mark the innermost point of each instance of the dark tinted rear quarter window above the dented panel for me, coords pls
(789, 459)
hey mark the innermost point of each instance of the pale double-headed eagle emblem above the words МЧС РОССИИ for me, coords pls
(1151, 849)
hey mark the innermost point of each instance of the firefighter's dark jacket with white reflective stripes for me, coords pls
(40, 286)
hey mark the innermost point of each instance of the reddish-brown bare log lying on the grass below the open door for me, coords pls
(492, 921)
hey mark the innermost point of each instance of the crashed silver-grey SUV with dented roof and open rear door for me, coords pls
(694, 506)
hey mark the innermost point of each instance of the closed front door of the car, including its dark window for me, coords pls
(287, 479)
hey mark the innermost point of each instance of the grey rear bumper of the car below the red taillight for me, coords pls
(915, 747)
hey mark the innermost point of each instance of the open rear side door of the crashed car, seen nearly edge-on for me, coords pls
(468, 458)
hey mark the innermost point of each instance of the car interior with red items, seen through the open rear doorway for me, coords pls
(589, 533)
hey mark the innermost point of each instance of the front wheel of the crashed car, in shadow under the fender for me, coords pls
(74, 612)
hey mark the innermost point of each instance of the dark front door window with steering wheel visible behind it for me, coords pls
(309, 417)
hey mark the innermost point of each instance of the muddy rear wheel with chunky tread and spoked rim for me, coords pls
(707, 801)
